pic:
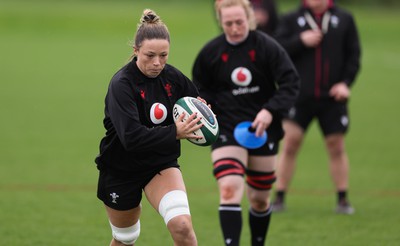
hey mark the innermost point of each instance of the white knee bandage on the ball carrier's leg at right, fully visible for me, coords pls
(173, 203)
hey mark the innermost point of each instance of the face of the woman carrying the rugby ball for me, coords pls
(152, 56)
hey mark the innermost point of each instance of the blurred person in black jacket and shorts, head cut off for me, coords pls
(323, 42)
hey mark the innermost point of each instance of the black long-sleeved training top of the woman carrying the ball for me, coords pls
(140, 130)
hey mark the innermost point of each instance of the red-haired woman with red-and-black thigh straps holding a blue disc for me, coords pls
(246, 76)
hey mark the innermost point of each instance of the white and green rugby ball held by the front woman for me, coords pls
(210, 130)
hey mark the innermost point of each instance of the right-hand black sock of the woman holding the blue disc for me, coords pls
(259, 223)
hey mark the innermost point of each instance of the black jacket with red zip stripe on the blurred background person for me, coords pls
(336, 59)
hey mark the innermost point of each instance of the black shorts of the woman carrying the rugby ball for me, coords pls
(122, 193)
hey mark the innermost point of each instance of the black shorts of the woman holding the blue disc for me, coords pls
(271, 147)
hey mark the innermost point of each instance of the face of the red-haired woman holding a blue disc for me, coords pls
(235, 24)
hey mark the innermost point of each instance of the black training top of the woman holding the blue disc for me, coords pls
(240, 80)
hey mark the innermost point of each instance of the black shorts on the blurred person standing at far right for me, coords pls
(332, 115)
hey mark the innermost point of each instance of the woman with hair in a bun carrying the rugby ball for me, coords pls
(142, 142)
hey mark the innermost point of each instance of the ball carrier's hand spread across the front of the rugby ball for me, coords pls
(185, 128)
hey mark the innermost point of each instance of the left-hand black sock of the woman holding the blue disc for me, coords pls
(230, 216)
